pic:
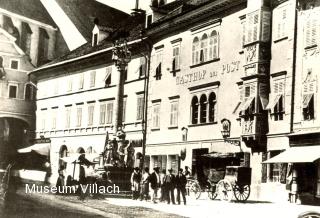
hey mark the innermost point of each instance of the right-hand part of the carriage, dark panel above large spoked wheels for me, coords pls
(236, 183)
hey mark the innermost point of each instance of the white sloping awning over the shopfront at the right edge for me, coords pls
(301, 154)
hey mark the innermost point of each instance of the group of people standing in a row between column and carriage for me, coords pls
(159, 185)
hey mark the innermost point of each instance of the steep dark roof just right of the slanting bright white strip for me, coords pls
(84, 12)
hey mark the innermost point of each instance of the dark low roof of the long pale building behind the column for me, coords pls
(133, 24)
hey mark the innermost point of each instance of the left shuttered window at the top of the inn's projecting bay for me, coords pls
(252, 27)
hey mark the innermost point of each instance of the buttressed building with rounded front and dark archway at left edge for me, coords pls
(28, 39)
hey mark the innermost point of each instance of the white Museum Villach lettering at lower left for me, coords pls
(88, 188)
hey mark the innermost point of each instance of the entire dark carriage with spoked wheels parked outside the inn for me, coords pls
(224, 182)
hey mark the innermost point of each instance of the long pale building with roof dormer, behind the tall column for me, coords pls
(76, 98)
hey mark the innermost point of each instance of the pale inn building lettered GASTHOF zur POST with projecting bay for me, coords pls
(207, 53)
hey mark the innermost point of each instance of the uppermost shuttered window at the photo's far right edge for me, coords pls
(310, 31)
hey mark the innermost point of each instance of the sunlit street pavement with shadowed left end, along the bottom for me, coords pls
(48, 205)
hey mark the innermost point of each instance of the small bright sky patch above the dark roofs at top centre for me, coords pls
(126, 5)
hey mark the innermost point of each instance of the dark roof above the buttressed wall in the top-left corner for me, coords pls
(32, 9)
